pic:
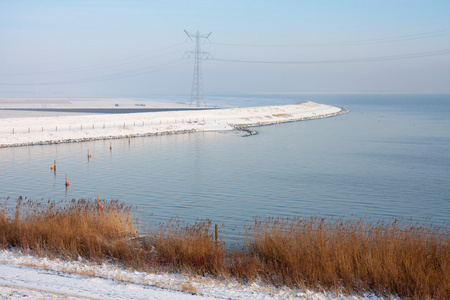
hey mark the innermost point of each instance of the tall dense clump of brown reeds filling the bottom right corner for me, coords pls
(410, 261)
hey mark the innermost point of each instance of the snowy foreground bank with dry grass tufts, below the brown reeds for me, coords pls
(25, 276)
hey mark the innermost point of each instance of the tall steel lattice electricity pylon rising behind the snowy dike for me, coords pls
(197, 83)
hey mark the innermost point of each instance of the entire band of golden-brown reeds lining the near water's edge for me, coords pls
(393, 258)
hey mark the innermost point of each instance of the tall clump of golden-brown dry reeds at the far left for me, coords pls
(77, 228)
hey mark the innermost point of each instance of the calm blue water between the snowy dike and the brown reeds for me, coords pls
(389, 157)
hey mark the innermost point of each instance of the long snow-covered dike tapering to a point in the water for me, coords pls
(65, 129)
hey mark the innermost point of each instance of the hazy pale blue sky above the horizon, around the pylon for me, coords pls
(132, 48)
